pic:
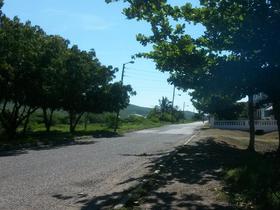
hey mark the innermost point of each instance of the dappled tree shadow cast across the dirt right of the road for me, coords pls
(196, 164)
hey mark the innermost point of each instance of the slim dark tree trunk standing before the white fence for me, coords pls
(251, 146)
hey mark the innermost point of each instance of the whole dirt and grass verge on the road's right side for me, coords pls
(214, 173)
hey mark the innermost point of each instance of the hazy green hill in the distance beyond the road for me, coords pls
(144, 111)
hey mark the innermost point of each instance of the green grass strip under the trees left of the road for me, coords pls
(37, 137)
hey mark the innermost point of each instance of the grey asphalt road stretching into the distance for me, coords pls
(67, 177)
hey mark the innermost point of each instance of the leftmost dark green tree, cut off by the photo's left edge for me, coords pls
(20, 48)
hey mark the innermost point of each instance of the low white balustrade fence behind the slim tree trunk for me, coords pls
(264, 125)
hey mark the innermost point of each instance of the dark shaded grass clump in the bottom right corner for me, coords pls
(254, 182)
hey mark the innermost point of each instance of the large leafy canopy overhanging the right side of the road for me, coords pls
(240, 44)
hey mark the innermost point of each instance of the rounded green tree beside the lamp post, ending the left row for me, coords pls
(88, 87)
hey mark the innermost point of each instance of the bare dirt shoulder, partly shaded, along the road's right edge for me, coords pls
(193, 177)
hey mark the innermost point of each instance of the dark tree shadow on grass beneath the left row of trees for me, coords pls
(42, 140)
